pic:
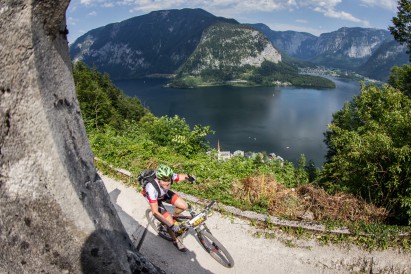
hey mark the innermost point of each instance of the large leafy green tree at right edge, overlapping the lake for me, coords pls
(369, 149)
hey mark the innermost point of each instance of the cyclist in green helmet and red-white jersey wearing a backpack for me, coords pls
(157, 194)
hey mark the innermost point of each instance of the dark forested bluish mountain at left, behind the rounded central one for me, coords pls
(156, 43)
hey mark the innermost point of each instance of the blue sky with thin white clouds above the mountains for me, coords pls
(312, 16)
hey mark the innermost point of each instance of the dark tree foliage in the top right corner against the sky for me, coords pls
(402, 24)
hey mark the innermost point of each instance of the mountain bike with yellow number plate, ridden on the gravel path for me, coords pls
(196, 222)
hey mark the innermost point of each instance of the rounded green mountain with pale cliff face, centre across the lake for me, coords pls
(236, 54)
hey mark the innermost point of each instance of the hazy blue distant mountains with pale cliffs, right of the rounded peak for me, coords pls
(347, 48)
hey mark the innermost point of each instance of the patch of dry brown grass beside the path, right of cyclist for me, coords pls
(306, 202)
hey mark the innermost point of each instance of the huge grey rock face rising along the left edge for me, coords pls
(56, 216)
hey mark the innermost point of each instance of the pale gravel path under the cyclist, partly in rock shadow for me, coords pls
(251, 254)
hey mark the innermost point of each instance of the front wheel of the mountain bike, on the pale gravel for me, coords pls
(215, 249)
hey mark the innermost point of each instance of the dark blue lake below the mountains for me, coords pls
(288, 121)
